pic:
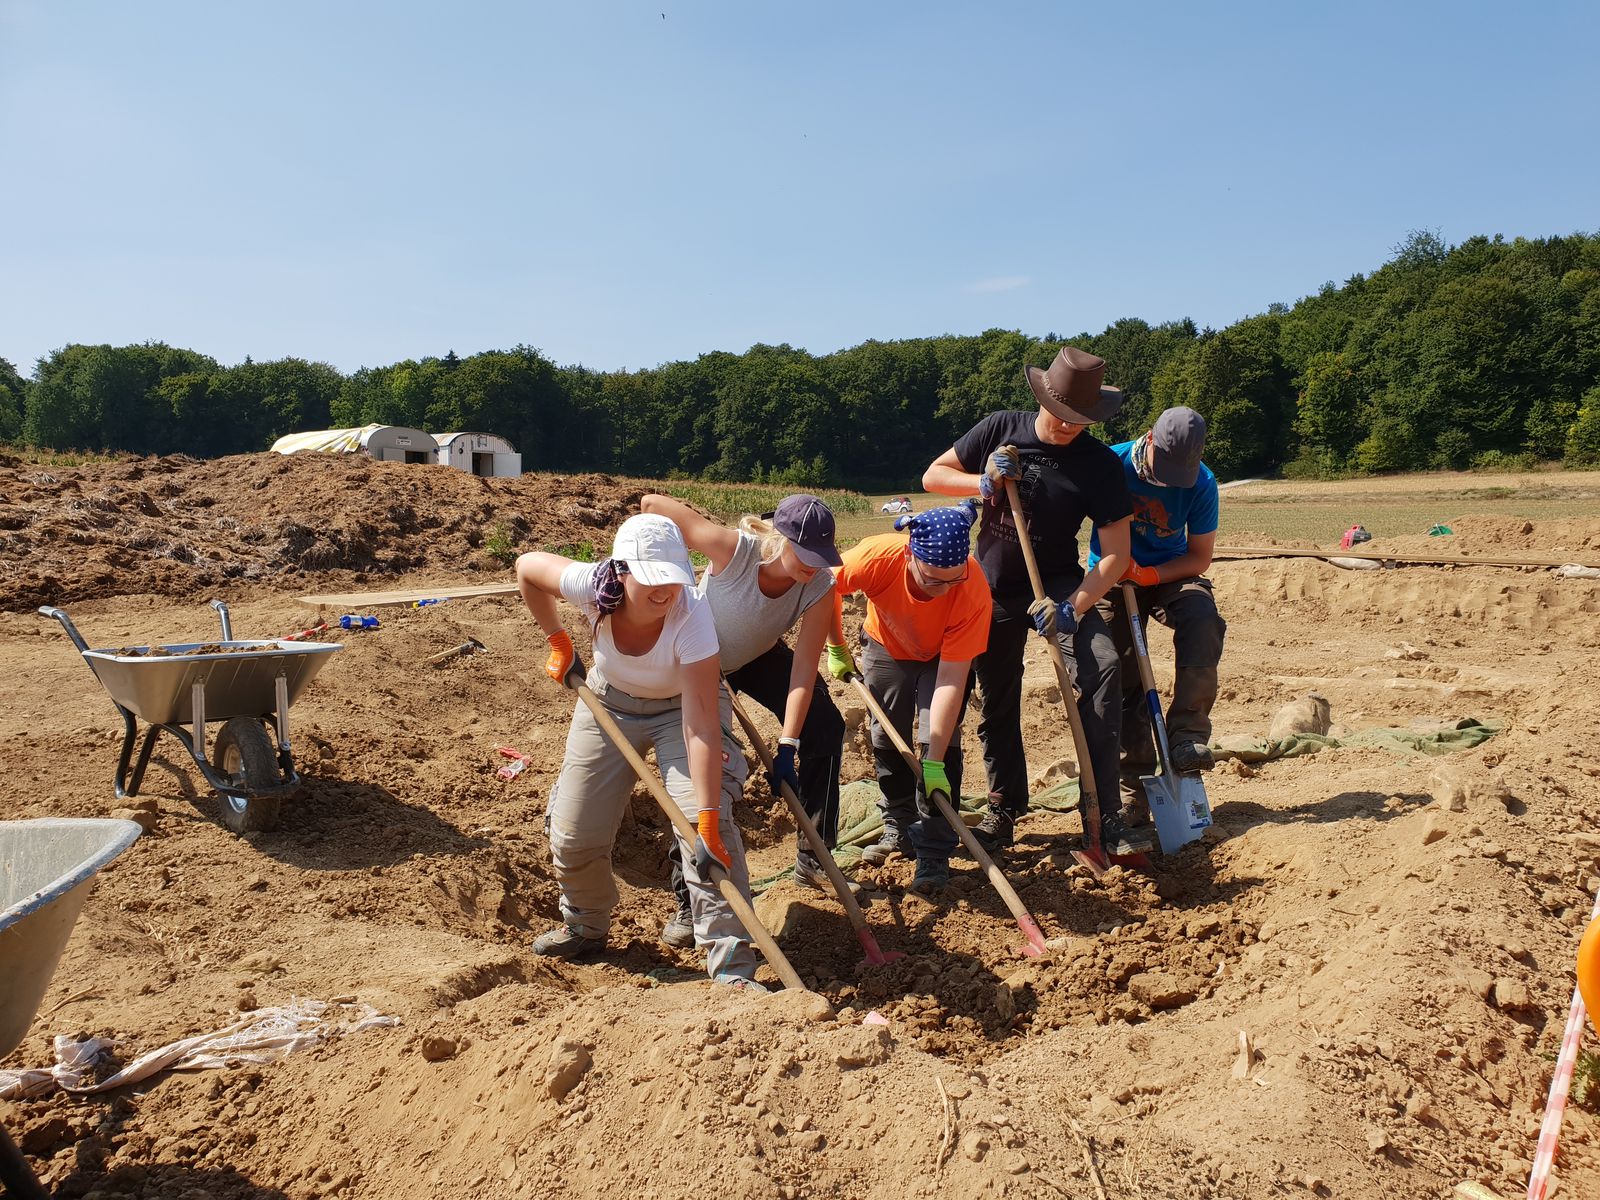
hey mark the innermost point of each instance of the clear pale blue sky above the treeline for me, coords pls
(625, 185)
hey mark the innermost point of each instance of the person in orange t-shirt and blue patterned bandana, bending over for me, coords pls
(927, 620)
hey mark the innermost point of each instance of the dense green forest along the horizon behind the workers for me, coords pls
(1486, 354)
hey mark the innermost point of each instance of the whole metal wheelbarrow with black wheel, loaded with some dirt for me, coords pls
(244, 684)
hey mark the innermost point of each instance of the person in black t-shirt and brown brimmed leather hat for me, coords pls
(1063, 476)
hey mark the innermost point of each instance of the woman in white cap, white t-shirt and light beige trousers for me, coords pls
(657, 671)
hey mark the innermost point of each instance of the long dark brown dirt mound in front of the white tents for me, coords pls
(178, 526)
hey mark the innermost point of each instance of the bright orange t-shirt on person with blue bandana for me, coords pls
(953, 626)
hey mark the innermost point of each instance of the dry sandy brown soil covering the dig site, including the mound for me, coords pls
(1396, 935)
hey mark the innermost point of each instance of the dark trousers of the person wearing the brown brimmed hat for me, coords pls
(1092, 660)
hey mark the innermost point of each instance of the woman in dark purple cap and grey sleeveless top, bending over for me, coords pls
(766, 578)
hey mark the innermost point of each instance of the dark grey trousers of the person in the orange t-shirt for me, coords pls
(905, 692)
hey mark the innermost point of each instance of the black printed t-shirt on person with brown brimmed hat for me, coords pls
(1060, 487)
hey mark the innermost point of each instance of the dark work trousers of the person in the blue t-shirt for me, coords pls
(1188, 609)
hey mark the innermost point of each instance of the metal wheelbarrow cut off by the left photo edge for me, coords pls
(46, 873)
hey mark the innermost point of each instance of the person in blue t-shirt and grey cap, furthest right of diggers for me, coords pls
(1175, 516)
